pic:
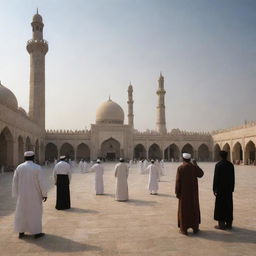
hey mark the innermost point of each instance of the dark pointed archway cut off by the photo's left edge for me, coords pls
(6, 149)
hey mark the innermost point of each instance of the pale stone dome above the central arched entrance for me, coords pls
(109, 113)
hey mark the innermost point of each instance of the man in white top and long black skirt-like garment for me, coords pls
(62, 177)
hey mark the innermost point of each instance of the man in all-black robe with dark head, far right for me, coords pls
(223, 188)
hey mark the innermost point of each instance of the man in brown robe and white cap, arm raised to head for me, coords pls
(186, 190)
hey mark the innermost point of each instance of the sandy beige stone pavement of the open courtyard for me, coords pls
(144, 226)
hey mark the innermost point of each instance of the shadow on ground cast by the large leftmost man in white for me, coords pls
(60, 244)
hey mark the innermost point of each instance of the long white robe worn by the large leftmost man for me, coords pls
(29, 186)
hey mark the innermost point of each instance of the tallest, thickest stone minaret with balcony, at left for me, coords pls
(37, 47)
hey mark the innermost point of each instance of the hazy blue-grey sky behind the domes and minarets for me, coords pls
(205, 49)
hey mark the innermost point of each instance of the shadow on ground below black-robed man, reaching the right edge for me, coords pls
(236, 235)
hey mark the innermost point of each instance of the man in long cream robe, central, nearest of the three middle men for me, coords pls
(121, 174)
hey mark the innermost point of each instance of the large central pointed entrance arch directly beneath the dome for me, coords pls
(110, 149)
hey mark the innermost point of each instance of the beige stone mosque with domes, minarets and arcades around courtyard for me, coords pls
(109, 137)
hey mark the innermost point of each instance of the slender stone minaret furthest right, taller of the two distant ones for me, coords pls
(160, 109)
